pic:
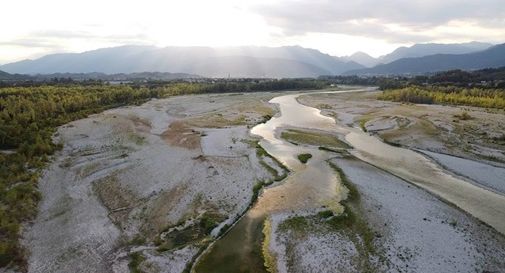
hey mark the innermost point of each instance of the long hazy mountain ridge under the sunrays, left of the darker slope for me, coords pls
(292, 61)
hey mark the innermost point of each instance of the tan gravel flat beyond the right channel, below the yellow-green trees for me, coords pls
(436, 128)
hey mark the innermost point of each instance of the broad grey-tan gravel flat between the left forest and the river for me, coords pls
(147, 187)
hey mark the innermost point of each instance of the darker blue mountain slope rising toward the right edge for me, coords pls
(490, 58)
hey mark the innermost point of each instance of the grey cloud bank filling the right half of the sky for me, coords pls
(397, 21)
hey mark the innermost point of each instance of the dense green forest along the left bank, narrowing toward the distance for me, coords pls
(30, 115)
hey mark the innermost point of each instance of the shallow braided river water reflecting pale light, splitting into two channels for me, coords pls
(314, 184)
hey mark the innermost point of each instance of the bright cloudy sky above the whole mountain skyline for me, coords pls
(33, 28)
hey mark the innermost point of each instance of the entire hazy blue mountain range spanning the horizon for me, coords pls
(256, 62)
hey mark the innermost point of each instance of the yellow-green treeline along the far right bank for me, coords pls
(488, 98)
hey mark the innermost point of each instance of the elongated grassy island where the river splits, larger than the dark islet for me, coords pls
(313, 138)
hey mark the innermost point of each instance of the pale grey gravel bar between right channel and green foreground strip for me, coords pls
(420, 232)
